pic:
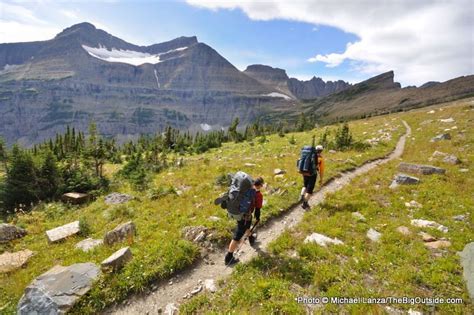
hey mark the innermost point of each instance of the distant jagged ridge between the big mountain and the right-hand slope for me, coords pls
(303, 90)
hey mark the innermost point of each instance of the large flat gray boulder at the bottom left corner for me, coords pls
(57, 290)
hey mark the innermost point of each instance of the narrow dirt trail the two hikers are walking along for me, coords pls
(173, 290)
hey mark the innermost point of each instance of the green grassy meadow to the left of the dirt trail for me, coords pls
(159, 249)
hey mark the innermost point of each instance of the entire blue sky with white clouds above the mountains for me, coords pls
(306, 38)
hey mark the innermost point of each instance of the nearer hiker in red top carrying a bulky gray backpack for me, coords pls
(241, 201)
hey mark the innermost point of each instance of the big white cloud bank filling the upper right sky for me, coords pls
(420, 40)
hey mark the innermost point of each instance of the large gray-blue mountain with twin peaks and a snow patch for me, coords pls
(86, 74)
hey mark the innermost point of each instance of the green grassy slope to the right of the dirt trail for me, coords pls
(396, 266)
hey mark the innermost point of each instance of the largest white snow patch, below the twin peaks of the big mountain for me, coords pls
(132, 57)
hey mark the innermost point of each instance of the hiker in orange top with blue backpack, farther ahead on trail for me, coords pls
(310, 164)
